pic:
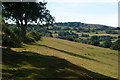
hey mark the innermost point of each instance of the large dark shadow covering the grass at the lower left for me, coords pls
(33, 66)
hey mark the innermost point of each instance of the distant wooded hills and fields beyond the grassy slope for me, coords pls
(93, 34)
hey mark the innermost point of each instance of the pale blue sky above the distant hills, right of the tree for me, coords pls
(103, 12)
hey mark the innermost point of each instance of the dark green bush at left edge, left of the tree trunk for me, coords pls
(9, 38)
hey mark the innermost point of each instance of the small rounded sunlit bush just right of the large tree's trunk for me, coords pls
(33, 36)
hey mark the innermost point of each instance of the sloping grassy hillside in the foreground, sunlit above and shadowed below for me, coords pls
(57, 58)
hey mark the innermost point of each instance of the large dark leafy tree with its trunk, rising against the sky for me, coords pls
(23, 13)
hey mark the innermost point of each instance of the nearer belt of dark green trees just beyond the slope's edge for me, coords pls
(101, 41)
